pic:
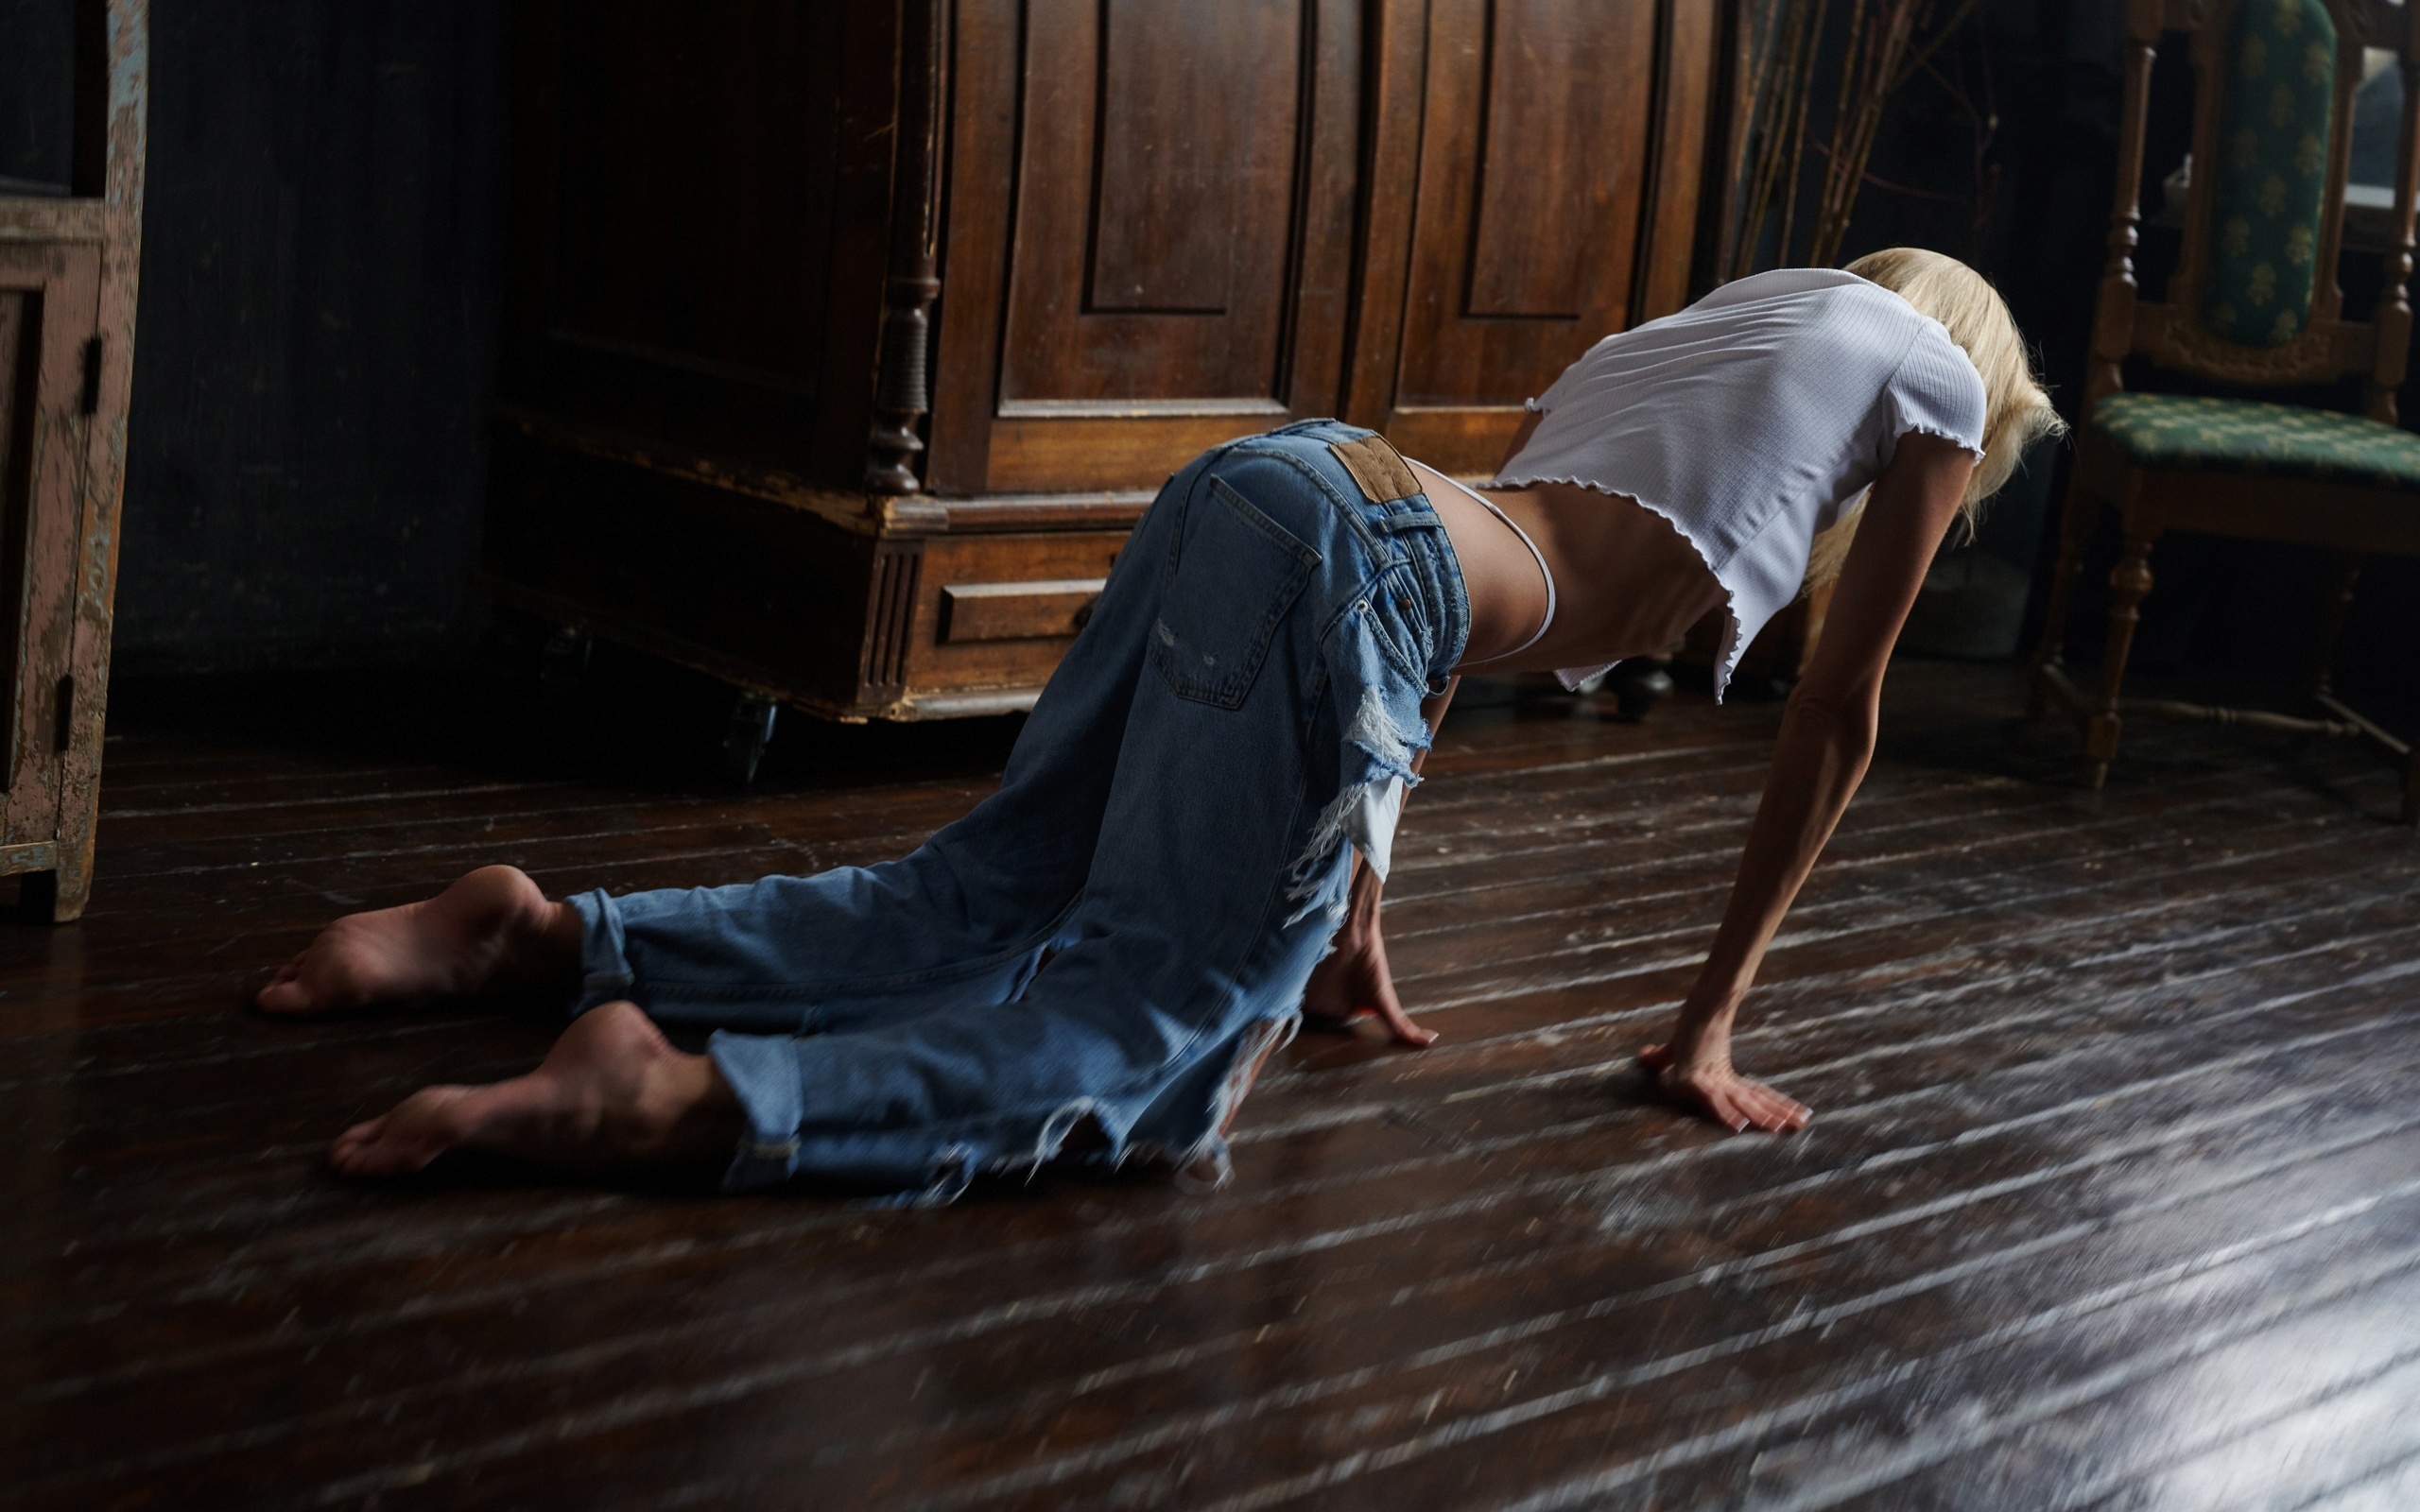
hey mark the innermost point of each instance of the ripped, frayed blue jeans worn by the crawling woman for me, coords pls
(1127, 928)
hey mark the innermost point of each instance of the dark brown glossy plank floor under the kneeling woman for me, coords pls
(2111, 1201)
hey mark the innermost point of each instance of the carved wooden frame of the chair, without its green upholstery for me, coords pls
(2349, 519)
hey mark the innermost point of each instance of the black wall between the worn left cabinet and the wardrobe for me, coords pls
(316, 340)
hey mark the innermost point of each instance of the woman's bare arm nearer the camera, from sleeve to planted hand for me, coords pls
(1826, 744)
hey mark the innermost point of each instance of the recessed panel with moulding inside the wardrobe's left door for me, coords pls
(1158, 183)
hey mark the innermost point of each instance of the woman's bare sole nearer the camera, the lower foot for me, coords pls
(611, 1097)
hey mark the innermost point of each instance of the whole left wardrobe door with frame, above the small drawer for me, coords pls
(1168, 197)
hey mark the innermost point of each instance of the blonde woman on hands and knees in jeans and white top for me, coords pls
(1189, 841)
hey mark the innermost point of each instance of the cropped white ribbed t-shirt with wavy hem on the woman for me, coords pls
(1751, 420)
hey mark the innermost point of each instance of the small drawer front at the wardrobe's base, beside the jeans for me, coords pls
(998, 611)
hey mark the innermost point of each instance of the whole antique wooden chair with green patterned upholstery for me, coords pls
(2254, 301)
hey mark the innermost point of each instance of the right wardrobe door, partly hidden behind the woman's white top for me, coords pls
(1550, 207)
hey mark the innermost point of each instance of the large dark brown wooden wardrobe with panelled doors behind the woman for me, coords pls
(848, 337)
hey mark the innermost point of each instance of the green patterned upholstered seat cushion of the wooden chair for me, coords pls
(2252, 437)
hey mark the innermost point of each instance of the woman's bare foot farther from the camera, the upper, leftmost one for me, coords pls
(490, 930)
